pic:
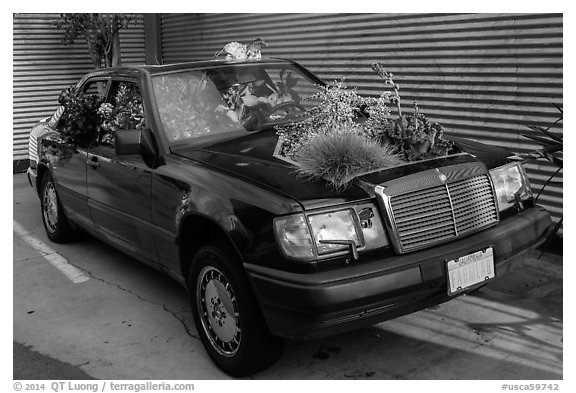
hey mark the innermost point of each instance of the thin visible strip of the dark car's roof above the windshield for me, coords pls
(135, 70)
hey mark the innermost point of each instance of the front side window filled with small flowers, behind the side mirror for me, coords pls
(123, 111)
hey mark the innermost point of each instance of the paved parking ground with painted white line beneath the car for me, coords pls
(85, 310)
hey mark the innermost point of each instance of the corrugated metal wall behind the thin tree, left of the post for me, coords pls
(43, 66)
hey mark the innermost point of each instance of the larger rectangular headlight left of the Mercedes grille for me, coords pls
(322, 234)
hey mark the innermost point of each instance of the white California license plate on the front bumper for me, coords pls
(469, 270)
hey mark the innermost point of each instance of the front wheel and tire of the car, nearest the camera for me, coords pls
(226, 314)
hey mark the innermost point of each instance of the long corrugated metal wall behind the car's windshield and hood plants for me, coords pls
(483, 76)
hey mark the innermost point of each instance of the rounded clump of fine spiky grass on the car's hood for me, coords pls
(341, 155)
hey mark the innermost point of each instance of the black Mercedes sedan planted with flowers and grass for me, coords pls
(177, 169)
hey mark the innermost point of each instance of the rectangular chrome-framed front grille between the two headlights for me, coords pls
(436, 214)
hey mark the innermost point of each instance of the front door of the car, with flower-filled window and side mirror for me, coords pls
(119, 186)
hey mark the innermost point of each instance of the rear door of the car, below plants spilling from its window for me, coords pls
(69, 169)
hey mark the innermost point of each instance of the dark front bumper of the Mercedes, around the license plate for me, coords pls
(327, 303)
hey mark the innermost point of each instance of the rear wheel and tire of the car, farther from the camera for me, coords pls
(56, 224)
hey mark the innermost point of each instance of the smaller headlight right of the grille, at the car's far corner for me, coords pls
(510, 181)
